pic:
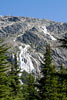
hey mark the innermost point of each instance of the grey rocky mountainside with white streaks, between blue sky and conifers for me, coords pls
(28, 37)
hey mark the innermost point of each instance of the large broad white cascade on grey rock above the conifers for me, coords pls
(24, 59)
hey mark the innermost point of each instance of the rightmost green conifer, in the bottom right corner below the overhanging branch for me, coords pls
(61, 84)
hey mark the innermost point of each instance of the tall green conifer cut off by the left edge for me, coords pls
(4, 87)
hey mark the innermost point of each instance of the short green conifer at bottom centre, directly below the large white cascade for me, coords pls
(29, 90)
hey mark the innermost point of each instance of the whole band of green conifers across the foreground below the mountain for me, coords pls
(52, 85)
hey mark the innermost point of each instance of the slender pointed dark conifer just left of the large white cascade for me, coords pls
(15, 79)
